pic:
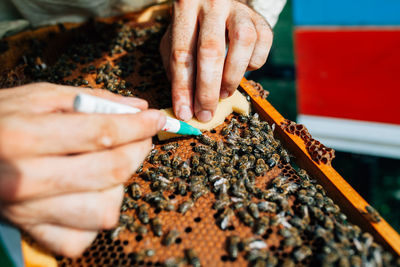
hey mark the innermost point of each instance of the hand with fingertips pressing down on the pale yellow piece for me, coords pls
(193, 52)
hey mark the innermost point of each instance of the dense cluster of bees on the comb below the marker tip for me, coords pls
(292, 203)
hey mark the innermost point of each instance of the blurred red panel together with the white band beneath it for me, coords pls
(348, 82)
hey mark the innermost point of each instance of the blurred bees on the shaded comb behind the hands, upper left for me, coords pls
(112, 40)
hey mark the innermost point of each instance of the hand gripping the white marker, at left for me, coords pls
(61, 172)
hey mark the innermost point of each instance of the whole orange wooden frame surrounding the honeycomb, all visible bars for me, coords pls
(352, 204)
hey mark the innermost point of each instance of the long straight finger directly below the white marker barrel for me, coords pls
(71, 133)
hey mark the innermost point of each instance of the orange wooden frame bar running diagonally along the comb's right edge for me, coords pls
(351, 203)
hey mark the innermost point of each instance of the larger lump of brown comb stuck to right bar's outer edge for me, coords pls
(317, 151)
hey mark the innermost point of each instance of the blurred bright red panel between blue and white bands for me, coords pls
(349, 73)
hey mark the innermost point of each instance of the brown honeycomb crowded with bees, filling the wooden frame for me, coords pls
(277, 214)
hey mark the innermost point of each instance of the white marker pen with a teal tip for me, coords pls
(93, 104)
